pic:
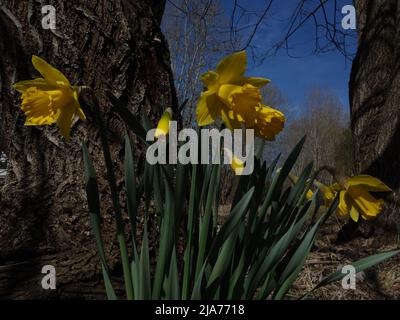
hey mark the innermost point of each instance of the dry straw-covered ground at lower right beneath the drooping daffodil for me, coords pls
(327, 256)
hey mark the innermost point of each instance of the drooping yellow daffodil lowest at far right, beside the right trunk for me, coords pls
(355, 197)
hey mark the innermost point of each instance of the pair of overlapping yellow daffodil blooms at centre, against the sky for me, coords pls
(237, 100)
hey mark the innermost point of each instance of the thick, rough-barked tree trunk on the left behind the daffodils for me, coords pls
(105, 44)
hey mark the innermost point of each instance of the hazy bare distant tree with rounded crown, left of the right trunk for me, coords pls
(325, 122)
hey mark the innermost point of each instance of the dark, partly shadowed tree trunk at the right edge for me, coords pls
(375, 96)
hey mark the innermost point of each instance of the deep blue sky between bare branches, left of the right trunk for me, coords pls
(295, 76)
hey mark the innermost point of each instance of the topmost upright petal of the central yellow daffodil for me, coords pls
(232, 67)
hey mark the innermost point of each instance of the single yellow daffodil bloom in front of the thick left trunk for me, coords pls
(51, 99)
